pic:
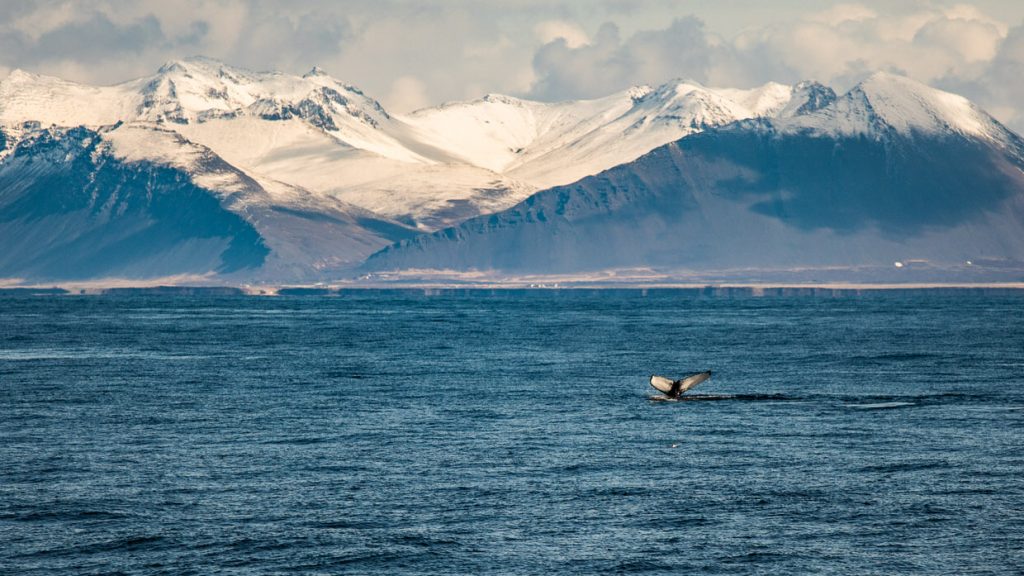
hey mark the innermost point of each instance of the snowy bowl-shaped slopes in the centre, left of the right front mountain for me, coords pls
(547, 145)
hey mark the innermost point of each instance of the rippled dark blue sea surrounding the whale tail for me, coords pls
(511, 434)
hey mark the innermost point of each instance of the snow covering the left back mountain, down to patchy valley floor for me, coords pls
(312, 132)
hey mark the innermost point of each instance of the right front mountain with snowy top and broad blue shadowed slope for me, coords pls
(892, 172)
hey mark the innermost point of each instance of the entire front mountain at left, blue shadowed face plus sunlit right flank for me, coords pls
(141, 202)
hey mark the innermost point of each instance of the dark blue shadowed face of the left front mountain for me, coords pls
(67, 211)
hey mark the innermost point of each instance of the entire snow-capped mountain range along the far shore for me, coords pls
(209, 170)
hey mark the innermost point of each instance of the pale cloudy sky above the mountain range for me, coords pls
(414, 54)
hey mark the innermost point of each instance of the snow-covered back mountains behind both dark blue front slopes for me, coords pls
(430, 170)
